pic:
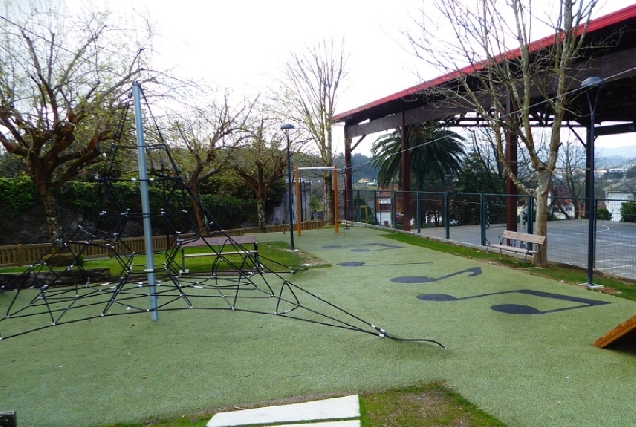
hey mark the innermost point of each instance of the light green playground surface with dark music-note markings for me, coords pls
(526, 370)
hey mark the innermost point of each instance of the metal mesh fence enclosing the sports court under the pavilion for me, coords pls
(476, 219)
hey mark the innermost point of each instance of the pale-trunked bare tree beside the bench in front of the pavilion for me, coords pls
(498, 74)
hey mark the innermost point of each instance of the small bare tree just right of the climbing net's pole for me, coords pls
(209, 134)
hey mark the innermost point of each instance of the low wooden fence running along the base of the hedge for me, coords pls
(17, 255)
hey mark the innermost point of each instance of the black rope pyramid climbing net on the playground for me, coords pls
(58, 289)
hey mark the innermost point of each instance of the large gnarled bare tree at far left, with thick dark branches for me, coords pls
(64, 82)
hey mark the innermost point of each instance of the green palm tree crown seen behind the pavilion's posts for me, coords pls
(434, 153)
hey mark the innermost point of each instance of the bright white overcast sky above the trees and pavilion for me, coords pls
(241, 44)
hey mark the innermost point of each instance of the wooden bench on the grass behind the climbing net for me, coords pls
(220, 244)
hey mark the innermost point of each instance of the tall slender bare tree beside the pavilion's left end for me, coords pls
(310, 89)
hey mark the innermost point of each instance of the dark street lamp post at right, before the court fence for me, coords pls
(593, 86)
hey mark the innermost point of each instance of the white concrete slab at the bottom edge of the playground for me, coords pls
(327, 409)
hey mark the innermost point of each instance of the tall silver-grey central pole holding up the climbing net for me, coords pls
(145, 201)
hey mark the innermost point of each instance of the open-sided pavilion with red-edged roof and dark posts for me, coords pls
(609, 52)
